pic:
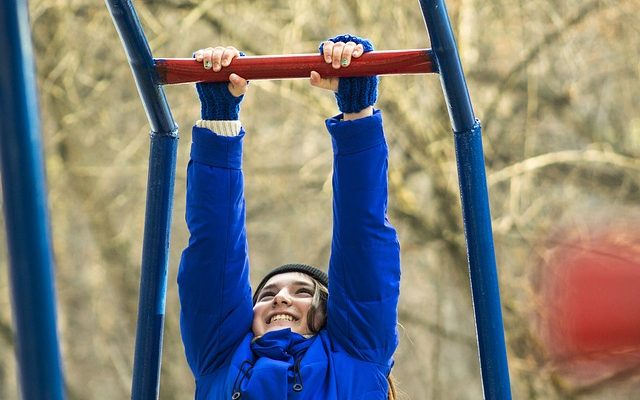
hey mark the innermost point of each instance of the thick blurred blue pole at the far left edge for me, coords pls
(25, 210)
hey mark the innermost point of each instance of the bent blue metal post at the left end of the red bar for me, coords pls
(157, 229)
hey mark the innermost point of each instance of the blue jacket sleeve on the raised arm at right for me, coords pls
(364, 268)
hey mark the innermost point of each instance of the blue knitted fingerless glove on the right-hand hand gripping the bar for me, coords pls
(358, 93)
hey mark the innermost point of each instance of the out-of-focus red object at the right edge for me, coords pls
(591, 299)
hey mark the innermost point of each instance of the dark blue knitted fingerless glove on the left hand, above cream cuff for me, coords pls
(216, 102)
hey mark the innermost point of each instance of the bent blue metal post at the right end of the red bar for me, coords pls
(475, 204)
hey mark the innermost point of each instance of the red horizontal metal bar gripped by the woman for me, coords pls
(389, 62)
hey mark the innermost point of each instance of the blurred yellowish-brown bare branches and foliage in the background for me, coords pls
(555, 84)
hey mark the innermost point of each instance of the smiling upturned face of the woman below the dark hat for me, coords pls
(284, 302)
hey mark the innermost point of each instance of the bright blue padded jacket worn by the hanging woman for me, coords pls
(352, 356)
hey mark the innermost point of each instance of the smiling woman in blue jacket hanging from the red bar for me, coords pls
(291, 339)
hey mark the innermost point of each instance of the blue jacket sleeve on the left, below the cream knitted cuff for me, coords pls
(213, 278)
